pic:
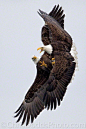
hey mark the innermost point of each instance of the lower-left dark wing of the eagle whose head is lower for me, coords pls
(33, 104)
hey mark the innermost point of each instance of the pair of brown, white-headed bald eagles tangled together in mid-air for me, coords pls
(54, 69)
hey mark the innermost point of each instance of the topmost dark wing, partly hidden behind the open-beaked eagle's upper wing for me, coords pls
(57, 14)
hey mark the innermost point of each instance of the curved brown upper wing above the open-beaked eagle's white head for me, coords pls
(56, 32)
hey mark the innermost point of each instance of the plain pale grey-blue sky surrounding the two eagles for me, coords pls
(20, 36)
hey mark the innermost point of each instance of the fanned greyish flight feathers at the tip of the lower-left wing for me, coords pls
(29, 110)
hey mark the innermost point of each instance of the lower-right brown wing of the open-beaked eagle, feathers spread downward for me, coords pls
(59, 79)
